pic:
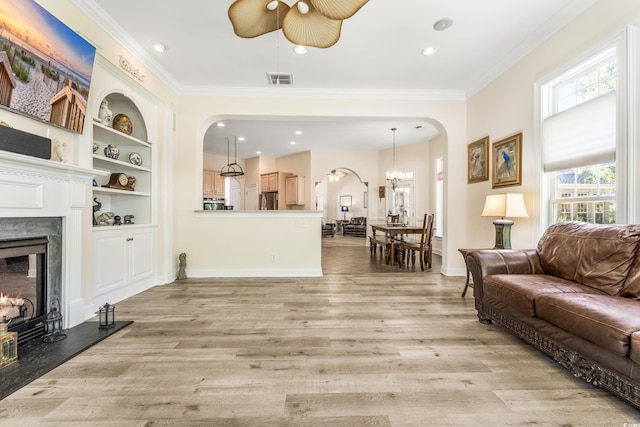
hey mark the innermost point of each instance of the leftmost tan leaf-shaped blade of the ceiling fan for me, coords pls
(251, 18)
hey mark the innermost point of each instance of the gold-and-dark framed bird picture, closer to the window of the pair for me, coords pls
(507, 161)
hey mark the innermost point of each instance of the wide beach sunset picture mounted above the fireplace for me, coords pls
(45, 66)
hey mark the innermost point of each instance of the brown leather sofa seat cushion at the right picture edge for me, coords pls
(604, 320)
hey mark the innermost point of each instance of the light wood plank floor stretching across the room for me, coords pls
(365, 345)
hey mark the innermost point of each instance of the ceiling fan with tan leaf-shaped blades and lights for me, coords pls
(314, 23)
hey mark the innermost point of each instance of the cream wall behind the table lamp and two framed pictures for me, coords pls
(505, 107)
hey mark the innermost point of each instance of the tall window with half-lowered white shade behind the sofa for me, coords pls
(579, 141)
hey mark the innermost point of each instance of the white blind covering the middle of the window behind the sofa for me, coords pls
(581, 136)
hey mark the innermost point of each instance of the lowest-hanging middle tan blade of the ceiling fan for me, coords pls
(311, 29)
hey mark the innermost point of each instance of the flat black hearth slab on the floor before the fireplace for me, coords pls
(36, 358)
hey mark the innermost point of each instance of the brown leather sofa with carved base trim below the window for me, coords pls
(575, 298)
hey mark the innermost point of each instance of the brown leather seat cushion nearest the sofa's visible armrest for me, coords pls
(520, 291)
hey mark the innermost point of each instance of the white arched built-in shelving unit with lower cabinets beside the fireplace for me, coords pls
(123, 255)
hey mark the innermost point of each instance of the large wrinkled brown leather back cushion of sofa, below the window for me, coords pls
(594, 255)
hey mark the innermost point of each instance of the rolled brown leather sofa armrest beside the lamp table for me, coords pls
(485, 262)
